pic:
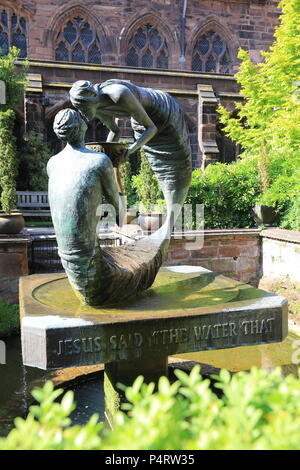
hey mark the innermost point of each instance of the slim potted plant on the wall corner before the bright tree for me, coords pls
(264, 212)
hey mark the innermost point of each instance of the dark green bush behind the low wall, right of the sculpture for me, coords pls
(228, 193)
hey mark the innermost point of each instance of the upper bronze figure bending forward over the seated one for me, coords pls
(159, 127)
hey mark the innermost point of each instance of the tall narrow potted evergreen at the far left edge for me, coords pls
(11, 220)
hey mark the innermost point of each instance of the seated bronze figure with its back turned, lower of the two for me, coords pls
(78, 179)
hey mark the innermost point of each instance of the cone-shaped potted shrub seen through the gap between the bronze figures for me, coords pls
(150, 199)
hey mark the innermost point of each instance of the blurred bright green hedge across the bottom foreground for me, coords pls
(257, 410)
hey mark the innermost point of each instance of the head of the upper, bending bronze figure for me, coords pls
(84, 96)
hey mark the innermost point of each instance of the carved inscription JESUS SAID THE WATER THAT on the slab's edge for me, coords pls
(188, 338)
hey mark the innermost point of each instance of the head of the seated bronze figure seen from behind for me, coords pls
(69, 126)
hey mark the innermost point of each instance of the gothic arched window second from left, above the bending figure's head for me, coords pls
(78, 42)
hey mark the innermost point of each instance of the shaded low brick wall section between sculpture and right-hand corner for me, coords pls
(234, 253)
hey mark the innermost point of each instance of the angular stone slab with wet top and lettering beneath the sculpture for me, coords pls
(188, 309)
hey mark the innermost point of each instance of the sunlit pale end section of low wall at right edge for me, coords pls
(281, 254)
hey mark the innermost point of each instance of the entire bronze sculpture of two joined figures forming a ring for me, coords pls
(79, 177)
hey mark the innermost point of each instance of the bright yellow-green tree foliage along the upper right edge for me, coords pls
(269, 117)
